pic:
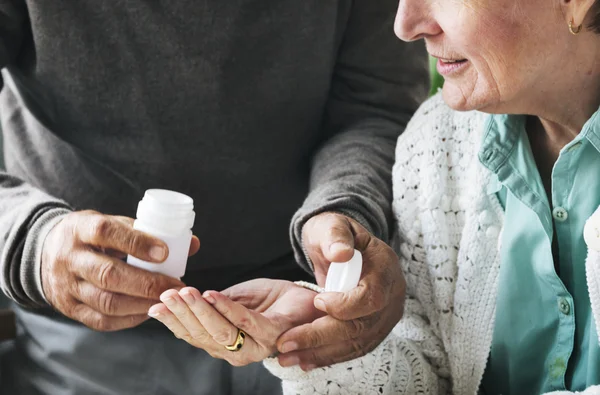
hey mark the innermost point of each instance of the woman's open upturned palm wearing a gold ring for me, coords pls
(262, 308)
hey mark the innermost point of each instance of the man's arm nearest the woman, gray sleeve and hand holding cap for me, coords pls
(377, 84)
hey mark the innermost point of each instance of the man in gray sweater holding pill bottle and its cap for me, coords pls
(256, 109)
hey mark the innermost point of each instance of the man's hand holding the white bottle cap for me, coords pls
(359, 319)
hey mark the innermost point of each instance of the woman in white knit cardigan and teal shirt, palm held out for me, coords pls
(503, 293)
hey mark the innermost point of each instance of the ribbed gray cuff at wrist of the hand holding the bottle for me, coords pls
(31, 261)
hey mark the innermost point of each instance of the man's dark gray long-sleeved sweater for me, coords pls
(247, 106)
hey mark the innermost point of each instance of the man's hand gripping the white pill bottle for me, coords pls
(85, 278)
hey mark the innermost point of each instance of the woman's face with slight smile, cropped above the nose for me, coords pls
(495, 55)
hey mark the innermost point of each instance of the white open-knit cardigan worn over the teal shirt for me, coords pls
(449, 227)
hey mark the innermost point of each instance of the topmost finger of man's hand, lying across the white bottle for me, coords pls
(107, 232)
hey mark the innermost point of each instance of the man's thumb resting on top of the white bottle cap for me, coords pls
(329, 236)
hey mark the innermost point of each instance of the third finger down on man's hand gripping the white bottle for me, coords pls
(111, 303)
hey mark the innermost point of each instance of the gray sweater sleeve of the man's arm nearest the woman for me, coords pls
(377, 84)
